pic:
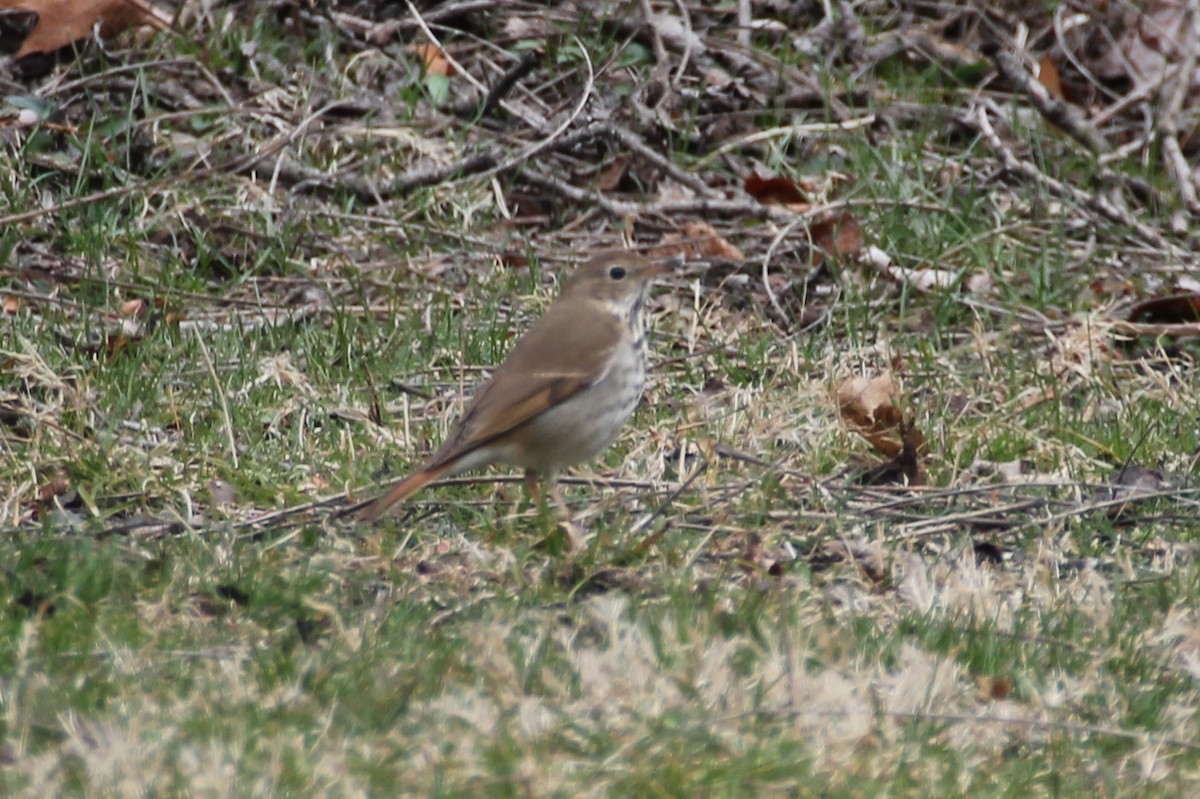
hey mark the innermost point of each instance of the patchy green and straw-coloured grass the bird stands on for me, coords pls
(194, 377)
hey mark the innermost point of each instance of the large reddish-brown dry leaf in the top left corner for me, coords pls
(64, 22)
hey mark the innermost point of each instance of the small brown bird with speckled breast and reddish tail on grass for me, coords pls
(565, 392)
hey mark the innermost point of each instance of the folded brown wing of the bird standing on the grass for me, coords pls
(555, 361)
